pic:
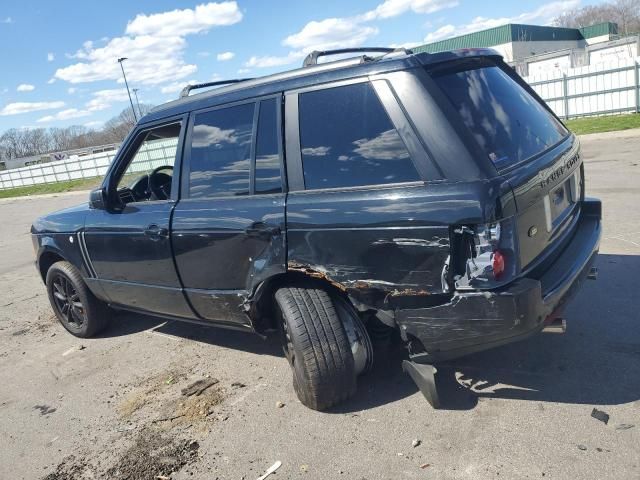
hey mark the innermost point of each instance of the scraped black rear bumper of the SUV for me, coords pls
(477, 321)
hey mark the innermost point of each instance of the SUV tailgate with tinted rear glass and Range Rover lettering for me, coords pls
(528, 145)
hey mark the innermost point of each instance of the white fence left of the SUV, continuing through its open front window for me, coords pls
(154, 154)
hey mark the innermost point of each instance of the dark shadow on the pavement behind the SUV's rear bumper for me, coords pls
(596, 362)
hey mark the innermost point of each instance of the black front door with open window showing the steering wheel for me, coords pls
(128, 245)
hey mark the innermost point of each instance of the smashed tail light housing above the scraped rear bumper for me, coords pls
(485, 255)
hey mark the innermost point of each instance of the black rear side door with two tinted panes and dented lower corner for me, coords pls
(228, 230)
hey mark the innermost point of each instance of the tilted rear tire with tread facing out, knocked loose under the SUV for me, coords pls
(317, 347)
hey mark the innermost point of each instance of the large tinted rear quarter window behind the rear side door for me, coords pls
(347, 139)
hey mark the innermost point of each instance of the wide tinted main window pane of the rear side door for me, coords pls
(220, 152)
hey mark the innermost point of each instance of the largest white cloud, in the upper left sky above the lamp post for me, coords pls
(154, 44)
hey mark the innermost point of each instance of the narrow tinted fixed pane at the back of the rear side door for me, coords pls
(267, 155)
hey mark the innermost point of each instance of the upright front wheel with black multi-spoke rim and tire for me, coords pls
(77, 309)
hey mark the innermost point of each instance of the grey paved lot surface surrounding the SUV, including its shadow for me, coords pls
(113, 407)
